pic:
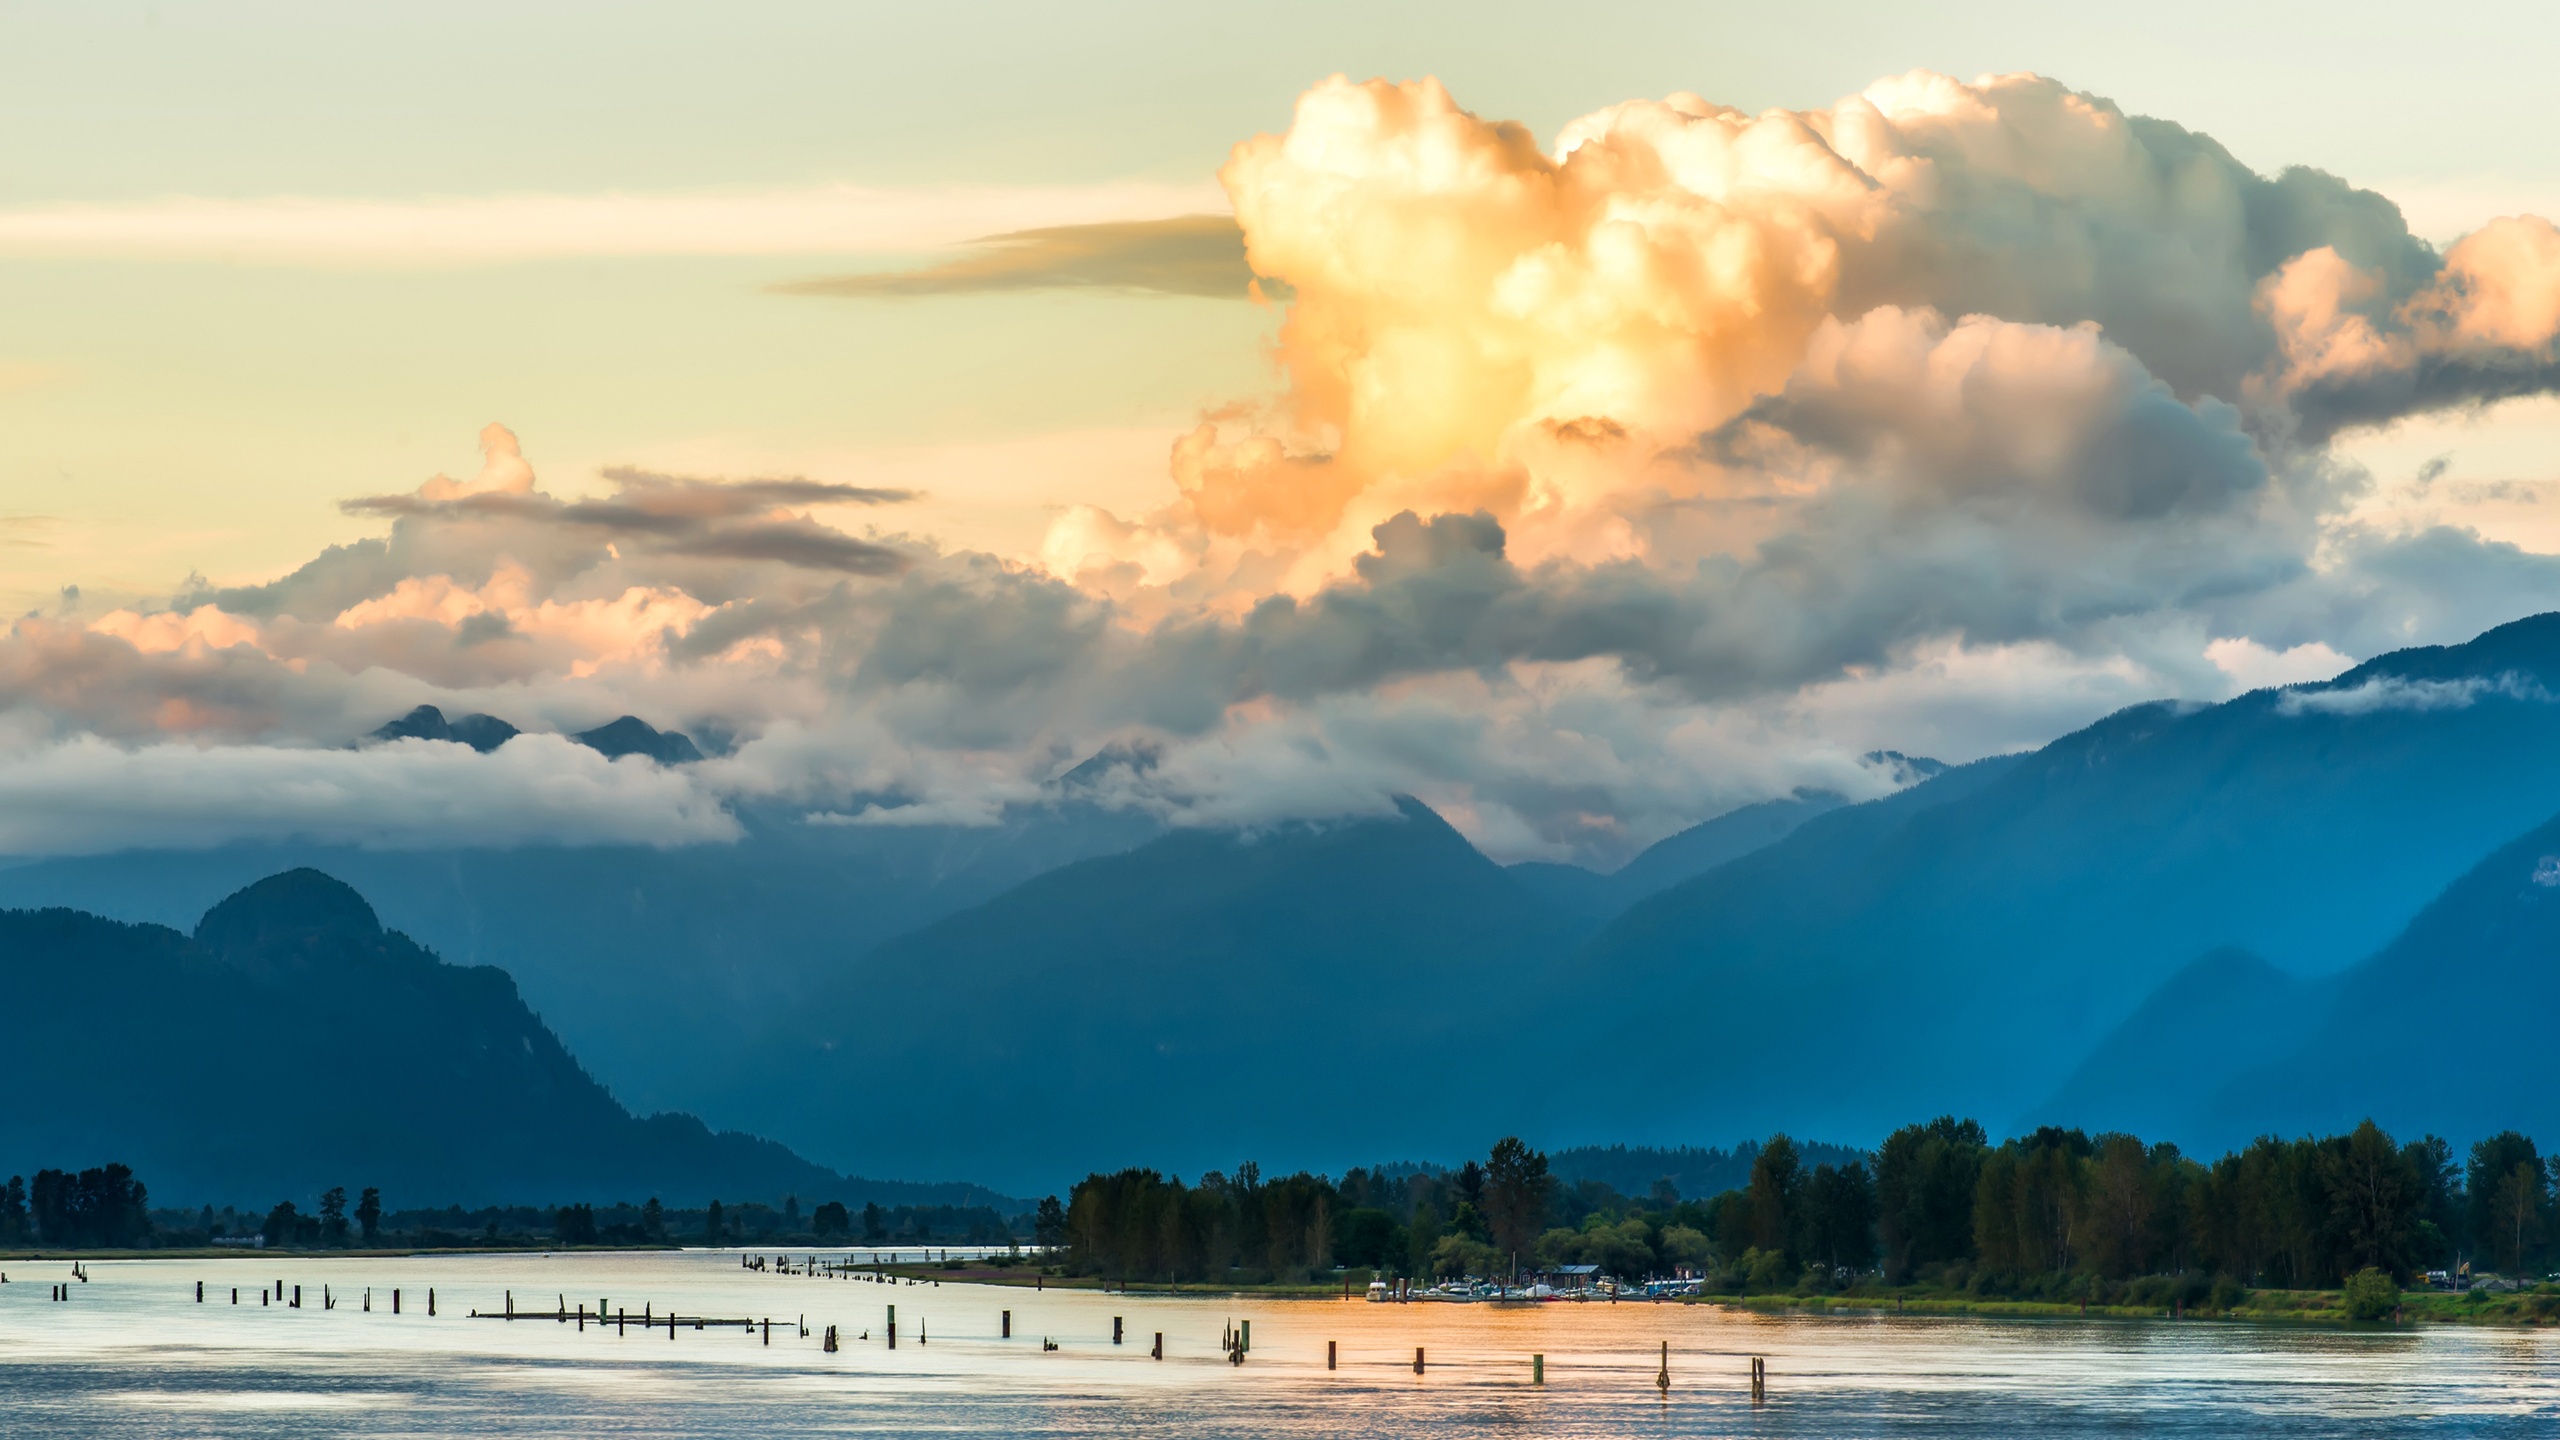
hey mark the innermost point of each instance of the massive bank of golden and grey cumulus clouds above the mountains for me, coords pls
(1604, 486)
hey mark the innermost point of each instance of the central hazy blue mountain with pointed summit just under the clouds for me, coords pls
(1299, 998)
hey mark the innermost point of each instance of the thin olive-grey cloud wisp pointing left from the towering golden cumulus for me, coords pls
(1189, 255)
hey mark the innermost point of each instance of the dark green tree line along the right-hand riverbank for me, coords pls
(2057, 1213)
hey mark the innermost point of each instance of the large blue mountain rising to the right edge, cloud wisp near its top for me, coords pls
(1965, 944)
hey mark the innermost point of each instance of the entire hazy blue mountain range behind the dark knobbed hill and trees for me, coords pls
(2195, 921)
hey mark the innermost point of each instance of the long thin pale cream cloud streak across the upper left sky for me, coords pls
(511, 229)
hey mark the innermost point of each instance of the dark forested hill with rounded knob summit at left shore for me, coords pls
(296, 1044)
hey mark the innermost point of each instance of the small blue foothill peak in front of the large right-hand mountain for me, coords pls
(2211, 1024)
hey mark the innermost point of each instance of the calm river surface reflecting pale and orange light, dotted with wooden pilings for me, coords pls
(134, 1354)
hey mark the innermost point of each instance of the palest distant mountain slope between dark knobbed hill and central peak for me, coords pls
(657, 967)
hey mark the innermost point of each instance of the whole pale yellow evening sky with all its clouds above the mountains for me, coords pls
(1583, 478)
